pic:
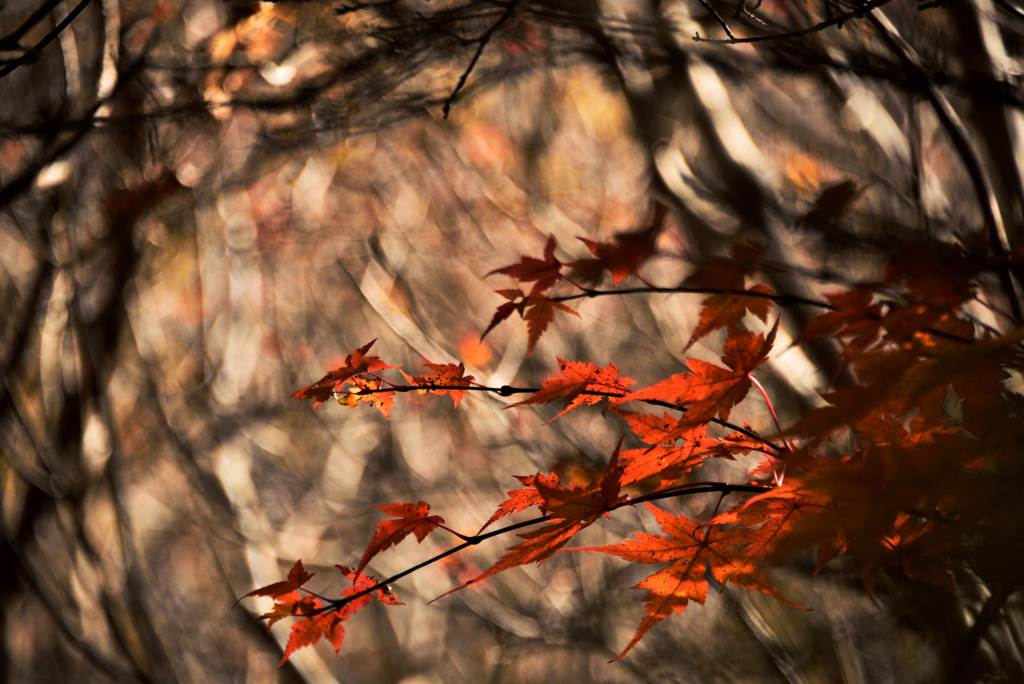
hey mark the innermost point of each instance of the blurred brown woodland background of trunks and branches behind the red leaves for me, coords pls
(206, 204)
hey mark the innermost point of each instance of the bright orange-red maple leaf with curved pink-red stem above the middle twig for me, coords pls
(710, 391)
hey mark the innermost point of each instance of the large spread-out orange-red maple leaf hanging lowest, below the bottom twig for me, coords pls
(694, 550)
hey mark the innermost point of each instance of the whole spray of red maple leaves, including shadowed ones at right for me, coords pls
(927, 480)
